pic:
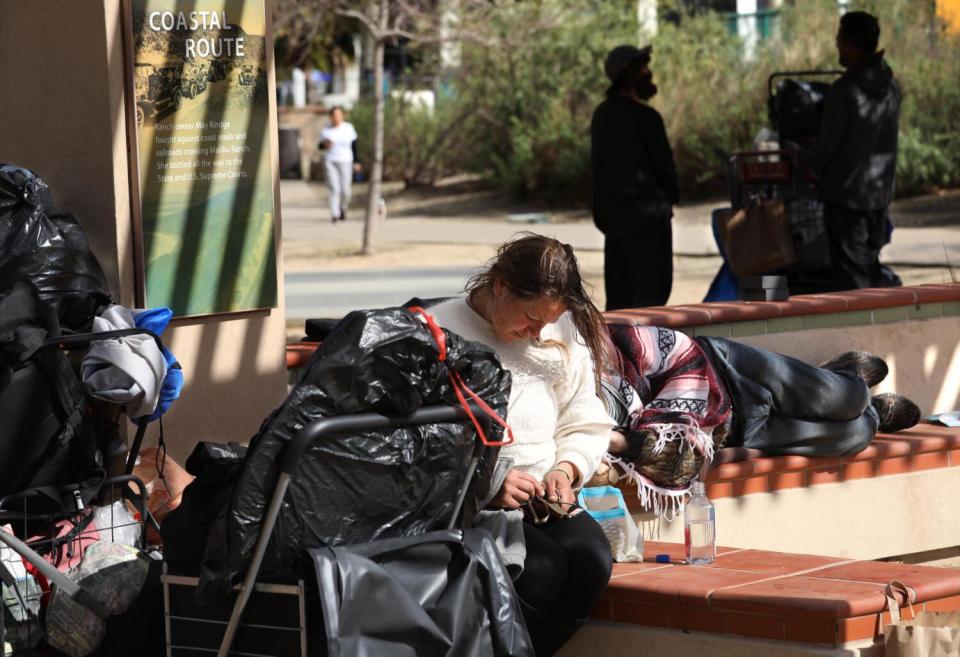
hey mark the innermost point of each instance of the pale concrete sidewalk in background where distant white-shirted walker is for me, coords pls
(305, 220)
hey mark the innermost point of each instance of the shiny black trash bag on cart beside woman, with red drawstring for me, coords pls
(364, 486)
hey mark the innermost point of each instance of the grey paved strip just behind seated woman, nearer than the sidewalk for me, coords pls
(333, 294)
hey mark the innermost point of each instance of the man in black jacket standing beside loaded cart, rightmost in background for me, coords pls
(855, 156)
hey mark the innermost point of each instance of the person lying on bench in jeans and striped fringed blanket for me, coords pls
(675, 399)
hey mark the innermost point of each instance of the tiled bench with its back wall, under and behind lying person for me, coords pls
(892, 496)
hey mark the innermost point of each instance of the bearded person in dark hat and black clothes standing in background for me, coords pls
(634, 184)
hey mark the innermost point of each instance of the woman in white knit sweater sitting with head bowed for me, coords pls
(529, 305)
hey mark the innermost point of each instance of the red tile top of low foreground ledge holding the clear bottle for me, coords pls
(813, 599)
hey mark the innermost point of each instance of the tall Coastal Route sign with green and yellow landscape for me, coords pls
(204, 152)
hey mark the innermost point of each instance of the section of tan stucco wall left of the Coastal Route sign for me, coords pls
(61, 114)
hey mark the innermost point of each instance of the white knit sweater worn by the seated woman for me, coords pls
(554, 410)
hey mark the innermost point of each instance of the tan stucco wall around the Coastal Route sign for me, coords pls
(62, 114)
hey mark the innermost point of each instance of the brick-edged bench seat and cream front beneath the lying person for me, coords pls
(890, 501)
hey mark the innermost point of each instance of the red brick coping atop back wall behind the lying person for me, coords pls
(702, 314)
